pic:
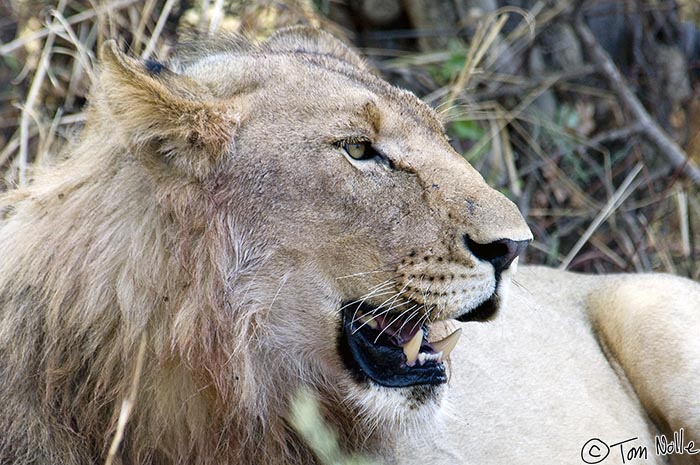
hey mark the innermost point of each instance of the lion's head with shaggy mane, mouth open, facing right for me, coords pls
(272, 217)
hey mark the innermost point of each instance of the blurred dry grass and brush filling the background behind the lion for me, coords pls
(522, 99)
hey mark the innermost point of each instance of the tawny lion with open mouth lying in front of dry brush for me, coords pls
(252, 220)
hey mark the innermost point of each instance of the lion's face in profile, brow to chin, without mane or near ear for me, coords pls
(373, 227)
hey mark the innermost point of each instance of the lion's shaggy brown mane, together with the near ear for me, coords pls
(103, 252)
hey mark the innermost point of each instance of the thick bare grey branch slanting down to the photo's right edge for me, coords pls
(653, 131)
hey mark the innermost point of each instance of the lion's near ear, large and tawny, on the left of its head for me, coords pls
(164, 115)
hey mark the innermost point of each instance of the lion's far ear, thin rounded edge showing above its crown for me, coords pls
(306, 39)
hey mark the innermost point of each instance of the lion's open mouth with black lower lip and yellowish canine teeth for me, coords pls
(391, 351)
